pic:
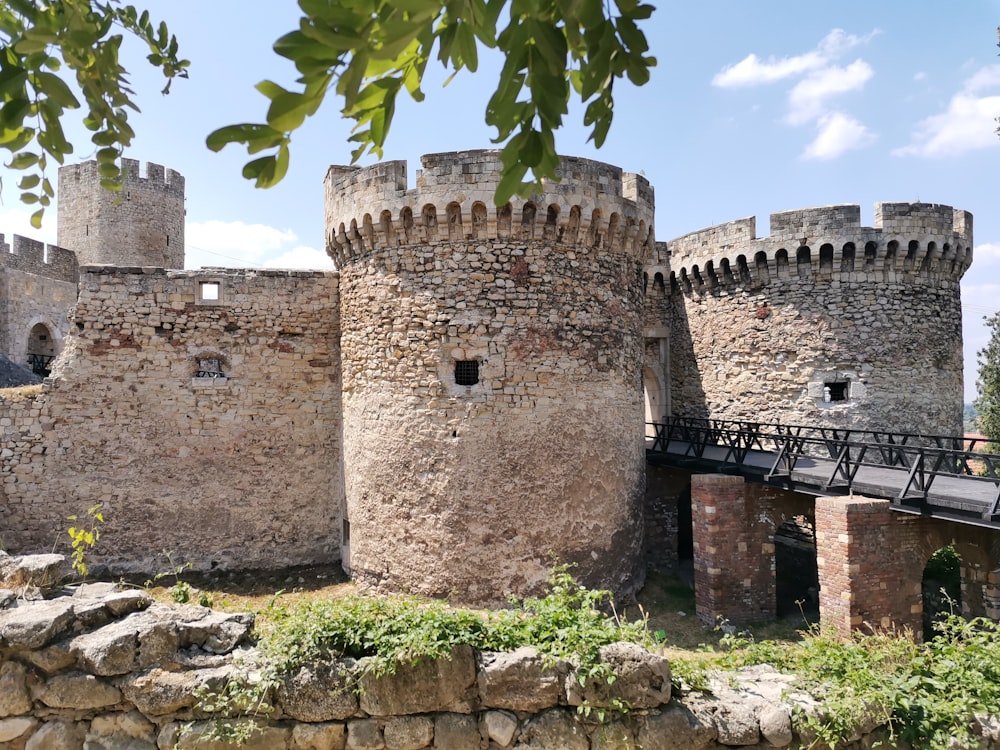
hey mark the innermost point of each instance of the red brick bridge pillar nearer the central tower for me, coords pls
(733, 552)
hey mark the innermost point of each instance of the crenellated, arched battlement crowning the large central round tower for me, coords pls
(594, 204)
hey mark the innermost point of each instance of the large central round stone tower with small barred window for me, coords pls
(491, 375)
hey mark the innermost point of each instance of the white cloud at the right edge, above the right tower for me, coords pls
(968, 124)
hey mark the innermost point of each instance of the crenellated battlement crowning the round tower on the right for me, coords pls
(919, 242)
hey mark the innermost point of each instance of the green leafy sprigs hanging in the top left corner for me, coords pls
(37, 39)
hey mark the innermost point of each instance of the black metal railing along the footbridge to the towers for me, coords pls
(841, 452)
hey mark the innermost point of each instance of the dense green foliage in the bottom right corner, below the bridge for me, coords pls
(928, 695)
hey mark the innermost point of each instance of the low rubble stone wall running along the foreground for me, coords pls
(110, 669)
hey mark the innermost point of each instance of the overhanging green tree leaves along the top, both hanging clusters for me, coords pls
(363, 51)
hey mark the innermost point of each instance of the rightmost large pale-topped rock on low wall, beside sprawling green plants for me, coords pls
(642, 679)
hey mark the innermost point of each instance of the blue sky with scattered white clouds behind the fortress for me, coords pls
(754, 107)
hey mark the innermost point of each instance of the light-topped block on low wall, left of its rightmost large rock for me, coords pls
(520, 680)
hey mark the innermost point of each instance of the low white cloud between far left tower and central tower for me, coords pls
(232, 243)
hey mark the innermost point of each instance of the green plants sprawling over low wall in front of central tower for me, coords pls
(566, 624)
